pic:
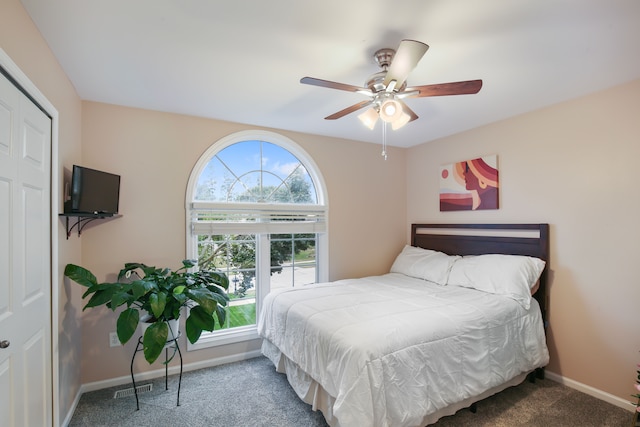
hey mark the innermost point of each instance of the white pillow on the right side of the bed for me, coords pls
(510, 275)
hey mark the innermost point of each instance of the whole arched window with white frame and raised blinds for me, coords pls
(256, 210)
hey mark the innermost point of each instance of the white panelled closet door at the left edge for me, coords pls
(25, 261)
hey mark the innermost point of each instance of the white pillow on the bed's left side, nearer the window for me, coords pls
(424, 264)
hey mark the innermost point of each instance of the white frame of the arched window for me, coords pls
(263, 267)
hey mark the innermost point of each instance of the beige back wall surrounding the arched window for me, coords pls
(154, 153)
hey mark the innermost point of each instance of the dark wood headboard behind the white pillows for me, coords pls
(477, 239)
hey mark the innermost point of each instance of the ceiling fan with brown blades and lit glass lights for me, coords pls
(387, 88)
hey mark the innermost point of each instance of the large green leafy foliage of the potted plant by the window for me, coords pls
(161, 293)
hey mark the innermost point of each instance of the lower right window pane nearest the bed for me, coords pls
(293, 260)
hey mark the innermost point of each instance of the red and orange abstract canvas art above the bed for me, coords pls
(470, 185)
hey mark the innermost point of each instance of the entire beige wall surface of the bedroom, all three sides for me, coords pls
(571, 165)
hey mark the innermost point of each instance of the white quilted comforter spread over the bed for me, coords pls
(392, 349)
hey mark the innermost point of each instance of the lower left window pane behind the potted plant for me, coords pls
(235, 255)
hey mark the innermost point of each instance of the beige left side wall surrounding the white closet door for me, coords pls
(22, 42)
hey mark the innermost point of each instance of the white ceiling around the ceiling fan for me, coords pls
(242, 61)
